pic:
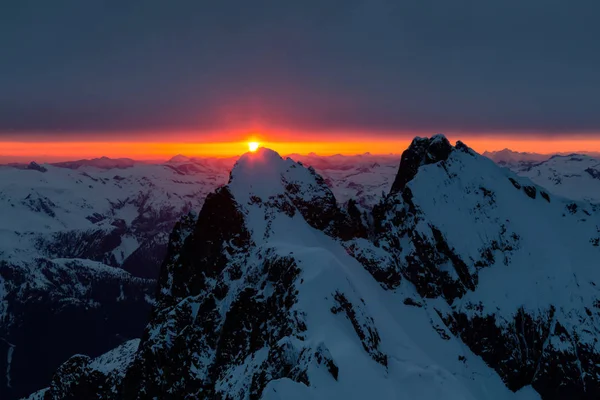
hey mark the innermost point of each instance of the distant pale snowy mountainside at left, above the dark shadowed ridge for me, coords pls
(119, 216)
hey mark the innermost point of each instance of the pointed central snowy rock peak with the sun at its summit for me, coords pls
(262, 298)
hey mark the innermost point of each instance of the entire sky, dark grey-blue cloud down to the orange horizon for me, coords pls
(152, 77)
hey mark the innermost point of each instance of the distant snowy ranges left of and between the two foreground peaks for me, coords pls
(81, 244)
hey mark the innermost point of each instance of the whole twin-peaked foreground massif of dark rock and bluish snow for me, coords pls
(465, 281)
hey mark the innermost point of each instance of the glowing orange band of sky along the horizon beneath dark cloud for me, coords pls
(57, 151)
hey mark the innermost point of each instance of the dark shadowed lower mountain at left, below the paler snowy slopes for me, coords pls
(52, 309)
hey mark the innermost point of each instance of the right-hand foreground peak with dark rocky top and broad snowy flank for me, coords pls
(511, 269)
